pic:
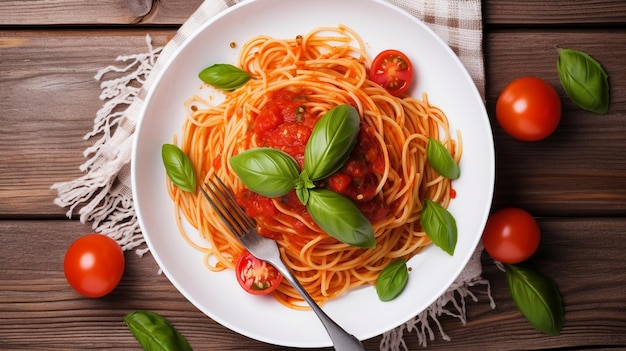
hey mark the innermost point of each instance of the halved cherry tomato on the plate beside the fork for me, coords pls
(256, 276)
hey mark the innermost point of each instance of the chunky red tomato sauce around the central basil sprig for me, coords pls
(285, 123)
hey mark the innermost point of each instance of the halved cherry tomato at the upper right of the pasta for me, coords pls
(393, 71)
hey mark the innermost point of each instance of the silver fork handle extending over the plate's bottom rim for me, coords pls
(342, 340)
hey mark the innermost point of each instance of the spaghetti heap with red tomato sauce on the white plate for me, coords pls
(317, 71)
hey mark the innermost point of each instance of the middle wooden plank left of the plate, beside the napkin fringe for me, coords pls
(49, 101)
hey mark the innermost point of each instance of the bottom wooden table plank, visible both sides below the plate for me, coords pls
(38, 310)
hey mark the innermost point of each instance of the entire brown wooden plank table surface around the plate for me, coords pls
(574, 182)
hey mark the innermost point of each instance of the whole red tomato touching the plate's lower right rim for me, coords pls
(511, 235)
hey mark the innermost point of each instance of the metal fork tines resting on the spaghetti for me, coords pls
(223, 202)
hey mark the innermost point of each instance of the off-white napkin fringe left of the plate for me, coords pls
(105, 188)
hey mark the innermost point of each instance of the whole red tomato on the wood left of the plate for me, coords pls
(94, 265)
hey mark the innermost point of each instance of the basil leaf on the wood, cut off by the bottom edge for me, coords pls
(154, 332)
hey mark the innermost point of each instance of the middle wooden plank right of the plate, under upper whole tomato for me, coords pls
(591, 176)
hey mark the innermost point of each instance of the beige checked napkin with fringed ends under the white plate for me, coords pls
(103, 194)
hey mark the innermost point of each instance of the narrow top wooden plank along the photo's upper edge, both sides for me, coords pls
(175, 12)
